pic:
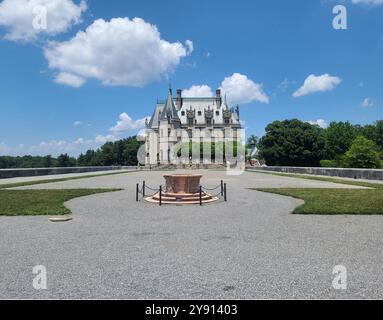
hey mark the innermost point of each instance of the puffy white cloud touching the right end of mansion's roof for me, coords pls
(239, 89)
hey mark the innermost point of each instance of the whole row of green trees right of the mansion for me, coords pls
(341, 144)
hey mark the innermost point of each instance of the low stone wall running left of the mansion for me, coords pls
(13, 173)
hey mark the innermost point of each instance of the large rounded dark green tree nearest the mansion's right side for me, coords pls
(292, 143)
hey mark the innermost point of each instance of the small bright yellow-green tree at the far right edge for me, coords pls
(362, 154)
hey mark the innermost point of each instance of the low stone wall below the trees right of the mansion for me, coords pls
(369, 174)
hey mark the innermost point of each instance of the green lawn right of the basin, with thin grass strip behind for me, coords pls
(334, 201)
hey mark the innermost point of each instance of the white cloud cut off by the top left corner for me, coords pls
(19, 17)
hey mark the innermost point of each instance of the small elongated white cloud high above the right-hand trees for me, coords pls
(315, 83)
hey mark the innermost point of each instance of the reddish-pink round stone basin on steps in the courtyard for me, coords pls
(182, 183)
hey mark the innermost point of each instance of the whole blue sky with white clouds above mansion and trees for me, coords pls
(61, 91)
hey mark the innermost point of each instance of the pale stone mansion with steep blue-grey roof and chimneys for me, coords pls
(180, 120)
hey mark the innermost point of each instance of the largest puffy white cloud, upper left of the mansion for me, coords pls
(116, 52)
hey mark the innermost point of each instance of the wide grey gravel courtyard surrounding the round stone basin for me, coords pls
(250, 247)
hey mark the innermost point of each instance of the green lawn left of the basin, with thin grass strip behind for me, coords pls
(43, 202)
